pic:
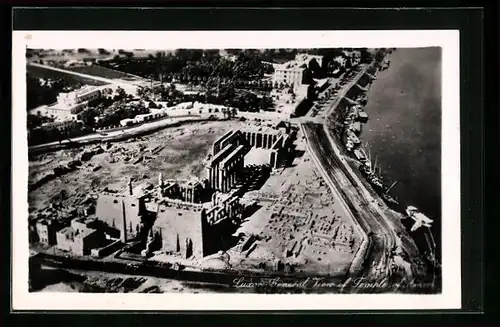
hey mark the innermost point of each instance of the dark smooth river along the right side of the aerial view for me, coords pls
(404, 129)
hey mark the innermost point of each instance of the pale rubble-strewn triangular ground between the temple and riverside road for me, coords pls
(299, 223)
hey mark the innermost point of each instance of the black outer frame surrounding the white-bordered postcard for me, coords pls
(472, 74)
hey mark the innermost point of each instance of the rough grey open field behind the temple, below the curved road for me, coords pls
(182, 150)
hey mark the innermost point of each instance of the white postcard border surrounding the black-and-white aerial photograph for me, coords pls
(447, 39)
